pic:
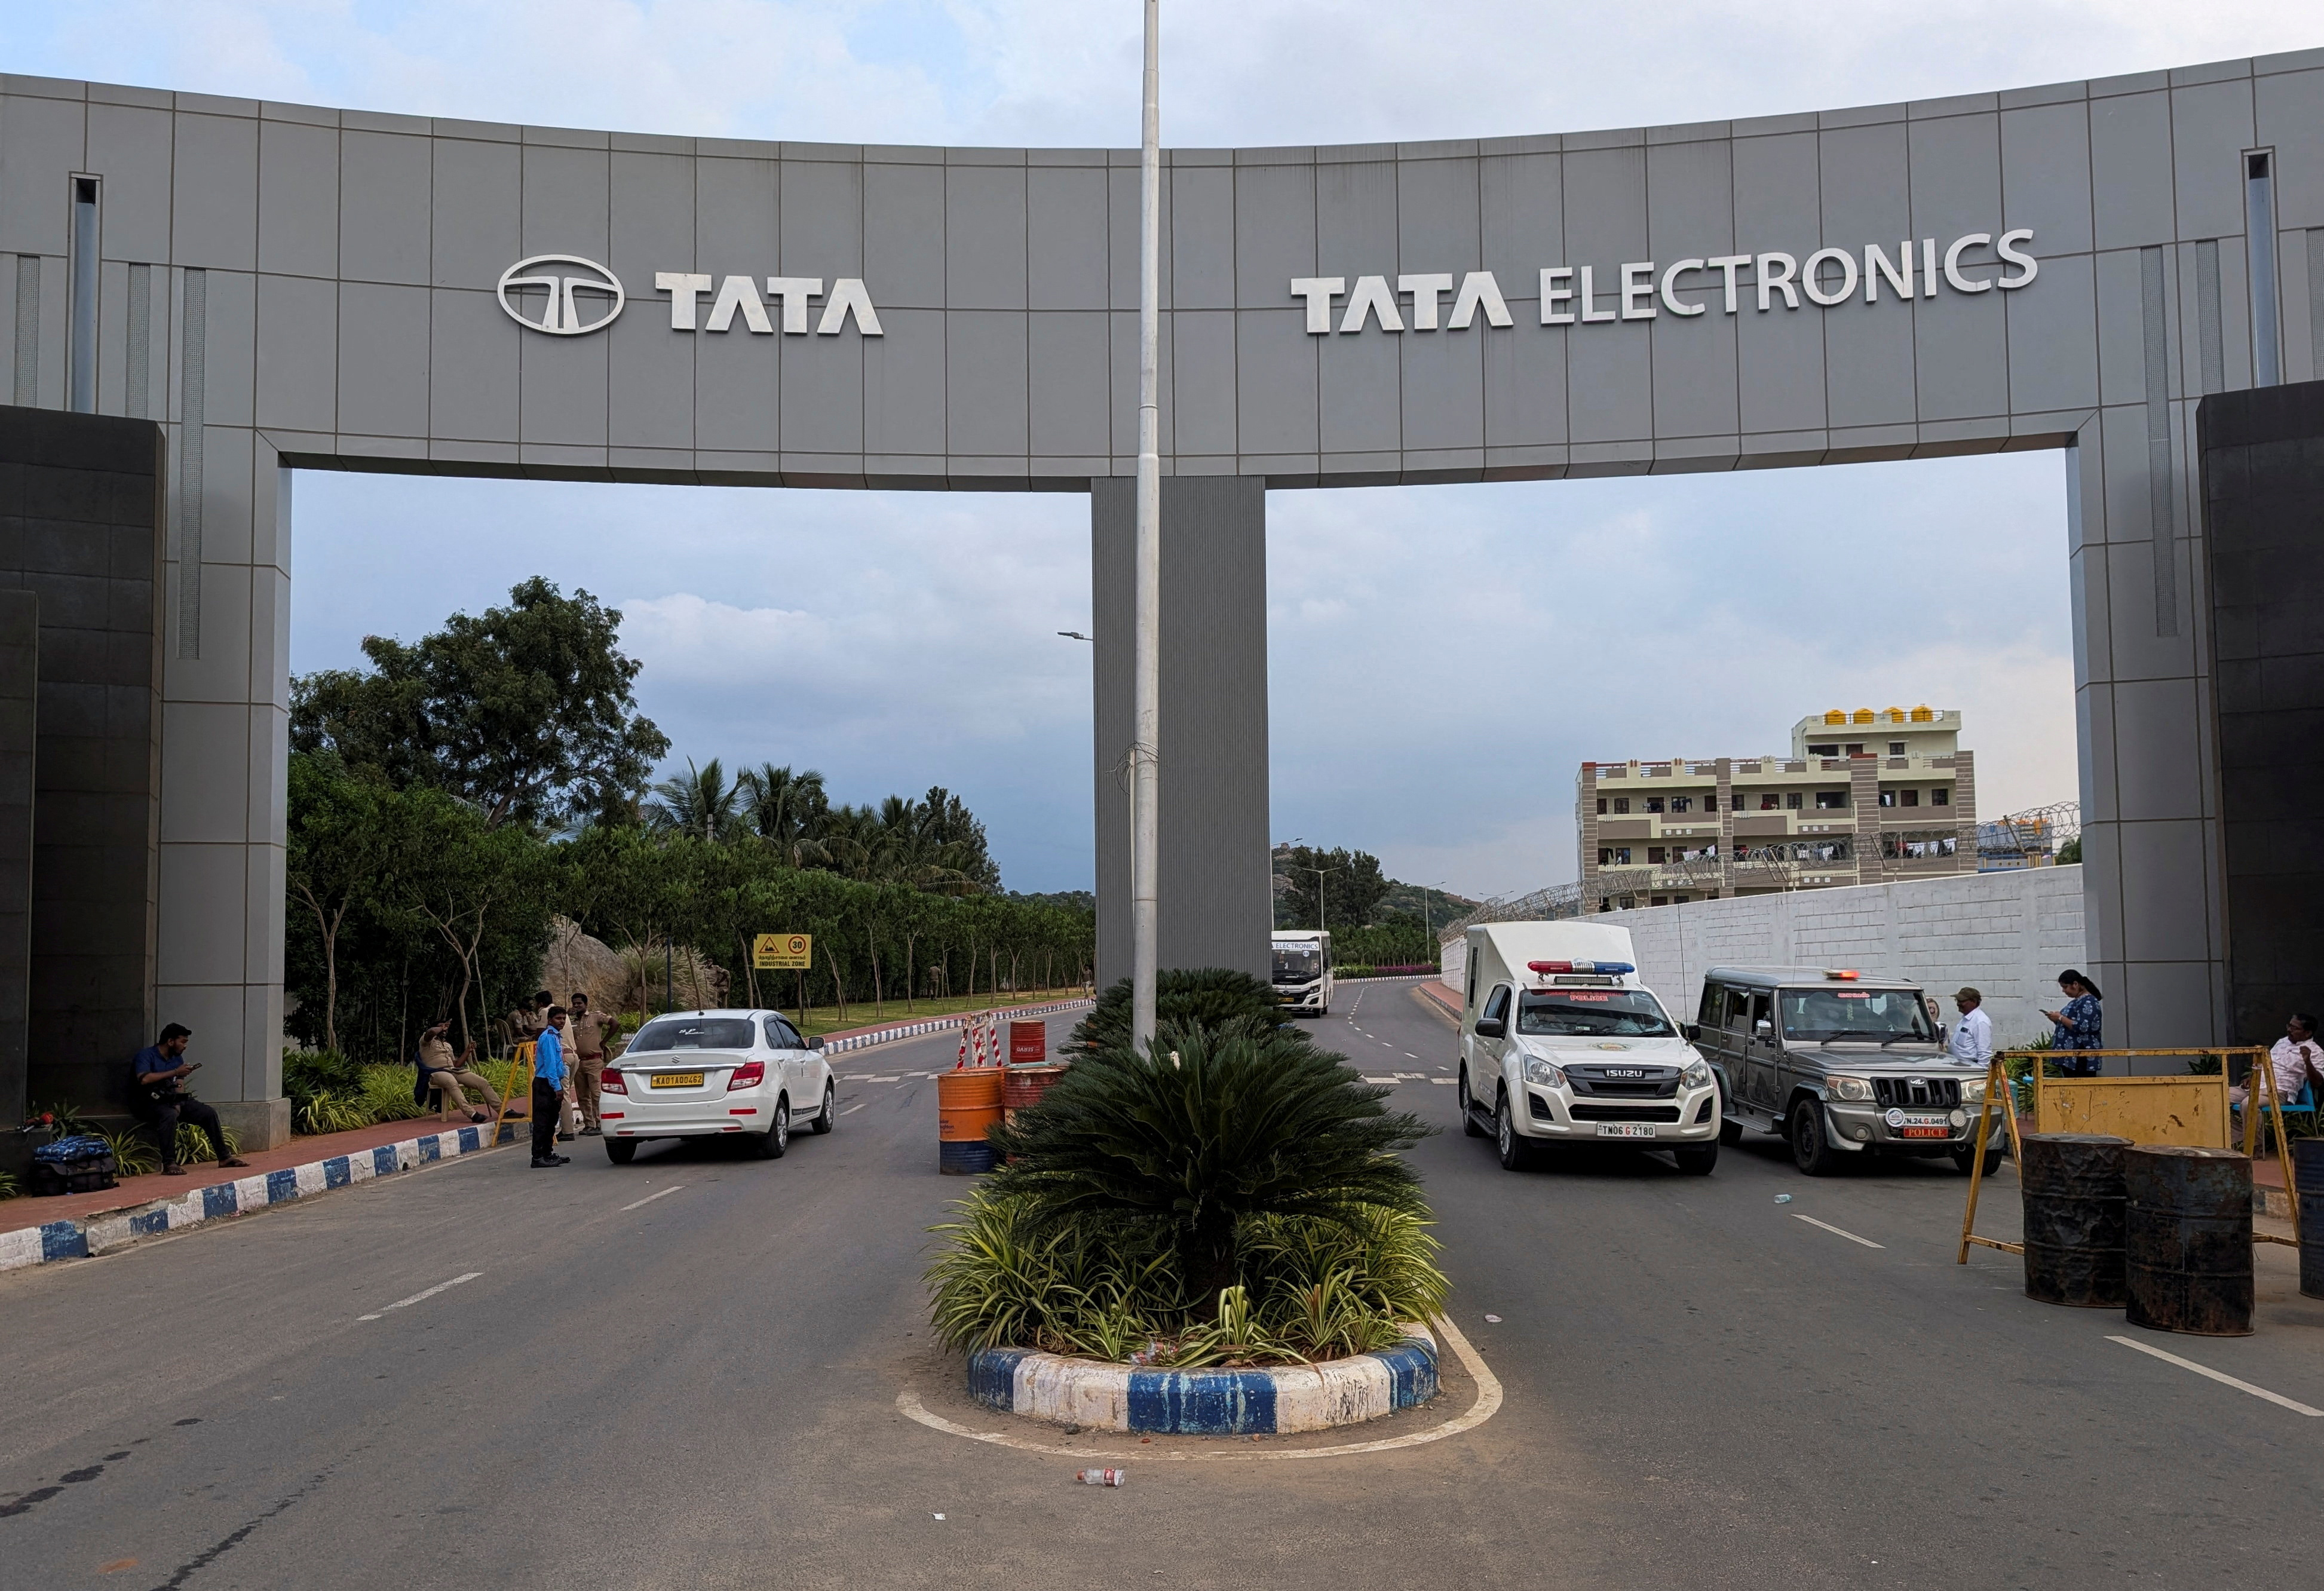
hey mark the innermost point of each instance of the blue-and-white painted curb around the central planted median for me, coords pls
(1272, 1402)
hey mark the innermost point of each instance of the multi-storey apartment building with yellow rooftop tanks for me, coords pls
(1865, 798)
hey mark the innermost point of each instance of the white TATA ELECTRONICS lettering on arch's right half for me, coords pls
(1647, 289)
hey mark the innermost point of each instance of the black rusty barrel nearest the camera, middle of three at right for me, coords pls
(2188, 1239)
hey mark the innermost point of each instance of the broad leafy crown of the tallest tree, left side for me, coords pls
(524, 712)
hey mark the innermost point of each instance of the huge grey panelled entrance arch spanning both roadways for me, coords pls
(308, 289)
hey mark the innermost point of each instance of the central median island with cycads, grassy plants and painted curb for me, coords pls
(1219, 1234)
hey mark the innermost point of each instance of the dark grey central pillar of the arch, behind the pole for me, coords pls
(1217, 898)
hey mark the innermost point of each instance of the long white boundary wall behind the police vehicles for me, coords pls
(2007, 935)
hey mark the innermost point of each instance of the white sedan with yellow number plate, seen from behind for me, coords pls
(717, 1072)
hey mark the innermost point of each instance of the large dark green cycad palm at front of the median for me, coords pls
(1217, 1128)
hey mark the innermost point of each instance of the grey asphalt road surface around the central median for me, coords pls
(698, 1388)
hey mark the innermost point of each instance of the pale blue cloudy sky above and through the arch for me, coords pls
(908, 640)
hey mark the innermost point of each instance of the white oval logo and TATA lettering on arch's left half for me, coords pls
(566, 296)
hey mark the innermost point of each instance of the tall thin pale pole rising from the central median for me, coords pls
(1147, 777)
